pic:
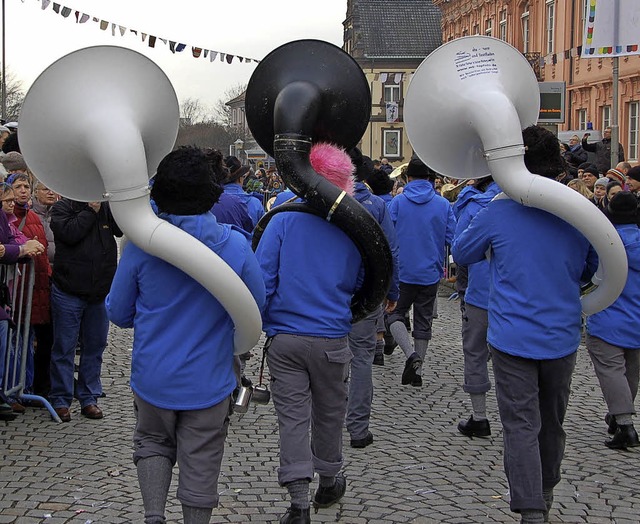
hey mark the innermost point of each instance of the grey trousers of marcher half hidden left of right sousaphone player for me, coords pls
(475, 349)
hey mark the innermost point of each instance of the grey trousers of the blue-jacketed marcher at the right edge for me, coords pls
(617, 370)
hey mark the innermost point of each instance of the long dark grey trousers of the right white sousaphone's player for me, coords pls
(532, 399)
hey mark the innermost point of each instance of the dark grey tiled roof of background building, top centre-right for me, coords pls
(397, 28)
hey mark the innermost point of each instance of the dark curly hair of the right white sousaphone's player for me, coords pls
(542, 156)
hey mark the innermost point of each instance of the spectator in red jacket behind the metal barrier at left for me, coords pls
(29, 223)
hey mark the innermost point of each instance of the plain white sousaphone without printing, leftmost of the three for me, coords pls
(94, 126)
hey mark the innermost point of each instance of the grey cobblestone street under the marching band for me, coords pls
(418, 470)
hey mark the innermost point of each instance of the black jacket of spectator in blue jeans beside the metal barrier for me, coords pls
(86, 251)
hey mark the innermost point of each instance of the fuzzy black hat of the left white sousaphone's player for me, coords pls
(184, 183)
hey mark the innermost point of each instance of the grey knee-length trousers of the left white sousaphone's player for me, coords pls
(194, 438)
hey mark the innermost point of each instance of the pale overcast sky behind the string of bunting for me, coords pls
(249, 28)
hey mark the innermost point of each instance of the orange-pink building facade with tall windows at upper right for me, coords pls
(550, 34)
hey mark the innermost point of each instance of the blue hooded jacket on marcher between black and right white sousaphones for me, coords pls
(425, 226)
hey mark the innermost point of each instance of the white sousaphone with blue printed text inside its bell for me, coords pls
(465, 110)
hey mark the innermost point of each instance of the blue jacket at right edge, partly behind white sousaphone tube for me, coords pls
(617, 324)
